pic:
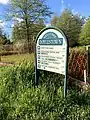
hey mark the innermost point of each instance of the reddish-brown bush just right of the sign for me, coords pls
(77, 63)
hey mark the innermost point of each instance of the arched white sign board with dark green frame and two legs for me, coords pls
(52, 51)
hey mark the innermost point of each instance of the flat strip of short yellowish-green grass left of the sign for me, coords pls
(17, 58)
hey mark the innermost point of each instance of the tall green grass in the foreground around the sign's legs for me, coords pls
(21, 100)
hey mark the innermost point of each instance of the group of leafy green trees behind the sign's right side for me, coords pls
(75, 27)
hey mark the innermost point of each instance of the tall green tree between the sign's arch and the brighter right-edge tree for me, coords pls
(71, 24)
